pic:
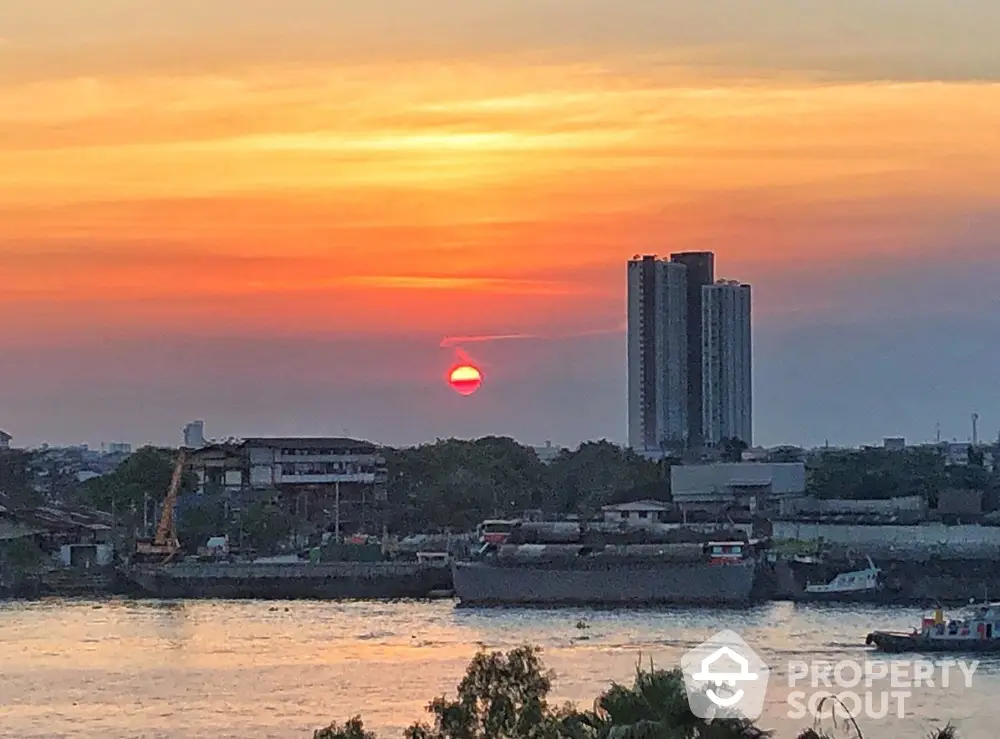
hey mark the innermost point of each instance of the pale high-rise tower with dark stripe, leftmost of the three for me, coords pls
(657, 353)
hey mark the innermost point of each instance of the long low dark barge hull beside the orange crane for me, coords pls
(323, 581)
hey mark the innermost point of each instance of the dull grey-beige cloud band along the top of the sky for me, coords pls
(856, 39)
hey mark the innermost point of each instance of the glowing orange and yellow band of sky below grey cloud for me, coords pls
(423, 195)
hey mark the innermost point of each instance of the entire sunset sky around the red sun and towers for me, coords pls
(289, 216)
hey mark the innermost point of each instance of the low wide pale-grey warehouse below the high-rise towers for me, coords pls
(751, 485)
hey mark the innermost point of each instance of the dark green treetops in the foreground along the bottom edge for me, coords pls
(505, 696)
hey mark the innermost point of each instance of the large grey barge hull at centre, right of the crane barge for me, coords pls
(620, 583)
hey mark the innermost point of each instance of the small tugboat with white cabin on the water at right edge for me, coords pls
(979, 631)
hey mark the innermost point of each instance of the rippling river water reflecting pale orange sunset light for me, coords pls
(256, 670)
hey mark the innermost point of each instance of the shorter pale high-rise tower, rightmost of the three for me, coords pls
(727, 356)
